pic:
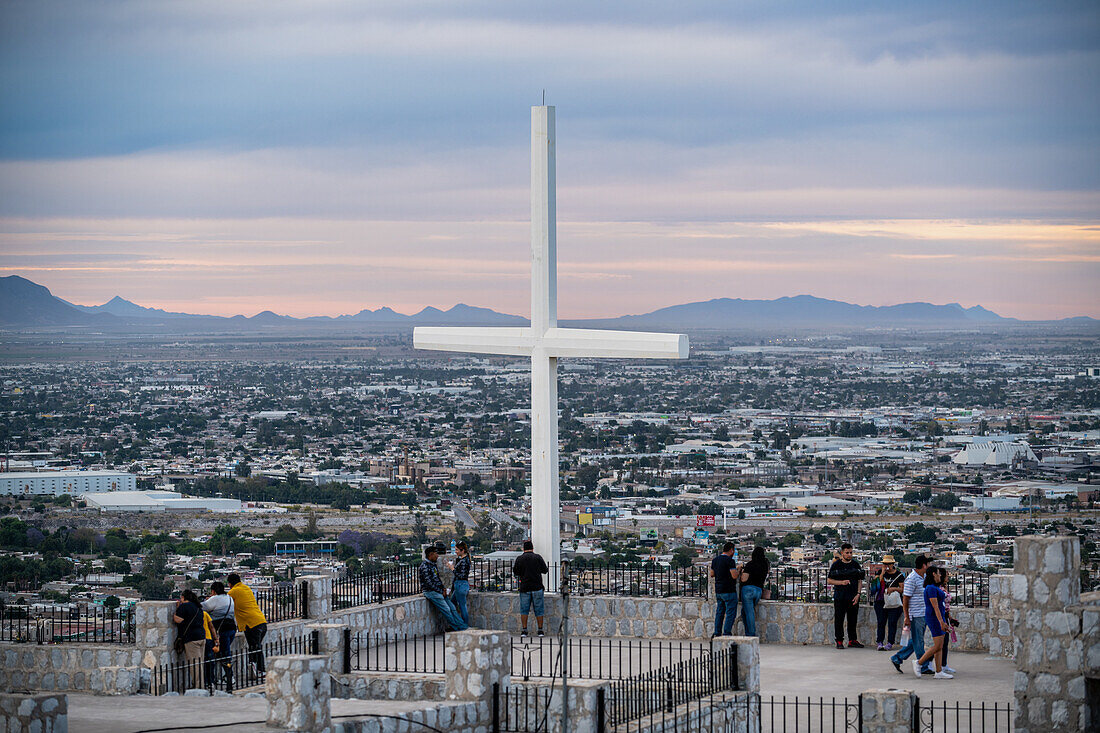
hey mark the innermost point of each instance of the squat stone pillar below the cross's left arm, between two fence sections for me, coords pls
(475, 661)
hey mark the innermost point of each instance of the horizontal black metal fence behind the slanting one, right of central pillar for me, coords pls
(599, 659)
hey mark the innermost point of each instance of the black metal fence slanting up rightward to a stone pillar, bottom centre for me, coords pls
(664, 691)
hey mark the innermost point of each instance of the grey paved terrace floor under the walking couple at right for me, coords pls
(828, 672)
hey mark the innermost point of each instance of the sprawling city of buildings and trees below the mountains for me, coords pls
(129, 478)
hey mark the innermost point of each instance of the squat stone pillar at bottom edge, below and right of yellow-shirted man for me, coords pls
(300, 694)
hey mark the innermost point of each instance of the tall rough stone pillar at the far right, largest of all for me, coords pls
(1050, 680)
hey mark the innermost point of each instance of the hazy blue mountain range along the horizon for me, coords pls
(27, 305)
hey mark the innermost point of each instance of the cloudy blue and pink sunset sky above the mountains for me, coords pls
(326, 157)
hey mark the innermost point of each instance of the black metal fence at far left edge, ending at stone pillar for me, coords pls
(68, 625)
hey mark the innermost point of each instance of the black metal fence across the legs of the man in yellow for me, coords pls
(228, 673)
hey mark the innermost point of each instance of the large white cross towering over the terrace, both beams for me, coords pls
(545, 343)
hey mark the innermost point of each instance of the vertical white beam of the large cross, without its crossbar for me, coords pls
(546, 528)
